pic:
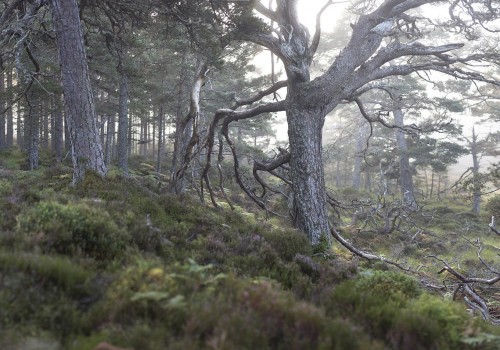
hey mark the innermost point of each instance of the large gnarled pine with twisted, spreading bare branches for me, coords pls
(388, 38)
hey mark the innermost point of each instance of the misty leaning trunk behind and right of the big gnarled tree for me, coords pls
(405, 176)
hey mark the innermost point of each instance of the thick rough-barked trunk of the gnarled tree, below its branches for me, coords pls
(306, 164)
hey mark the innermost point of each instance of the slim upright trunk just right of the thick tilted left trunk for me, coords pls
(122, 145)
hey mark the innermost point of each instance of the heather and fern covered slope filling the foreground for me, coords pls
(118, 260)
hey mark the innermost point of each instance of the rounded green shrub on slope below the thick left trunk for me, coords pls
(72, 229)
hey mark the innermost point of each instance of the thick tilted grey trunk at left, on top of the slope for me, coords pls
(86, 150)
